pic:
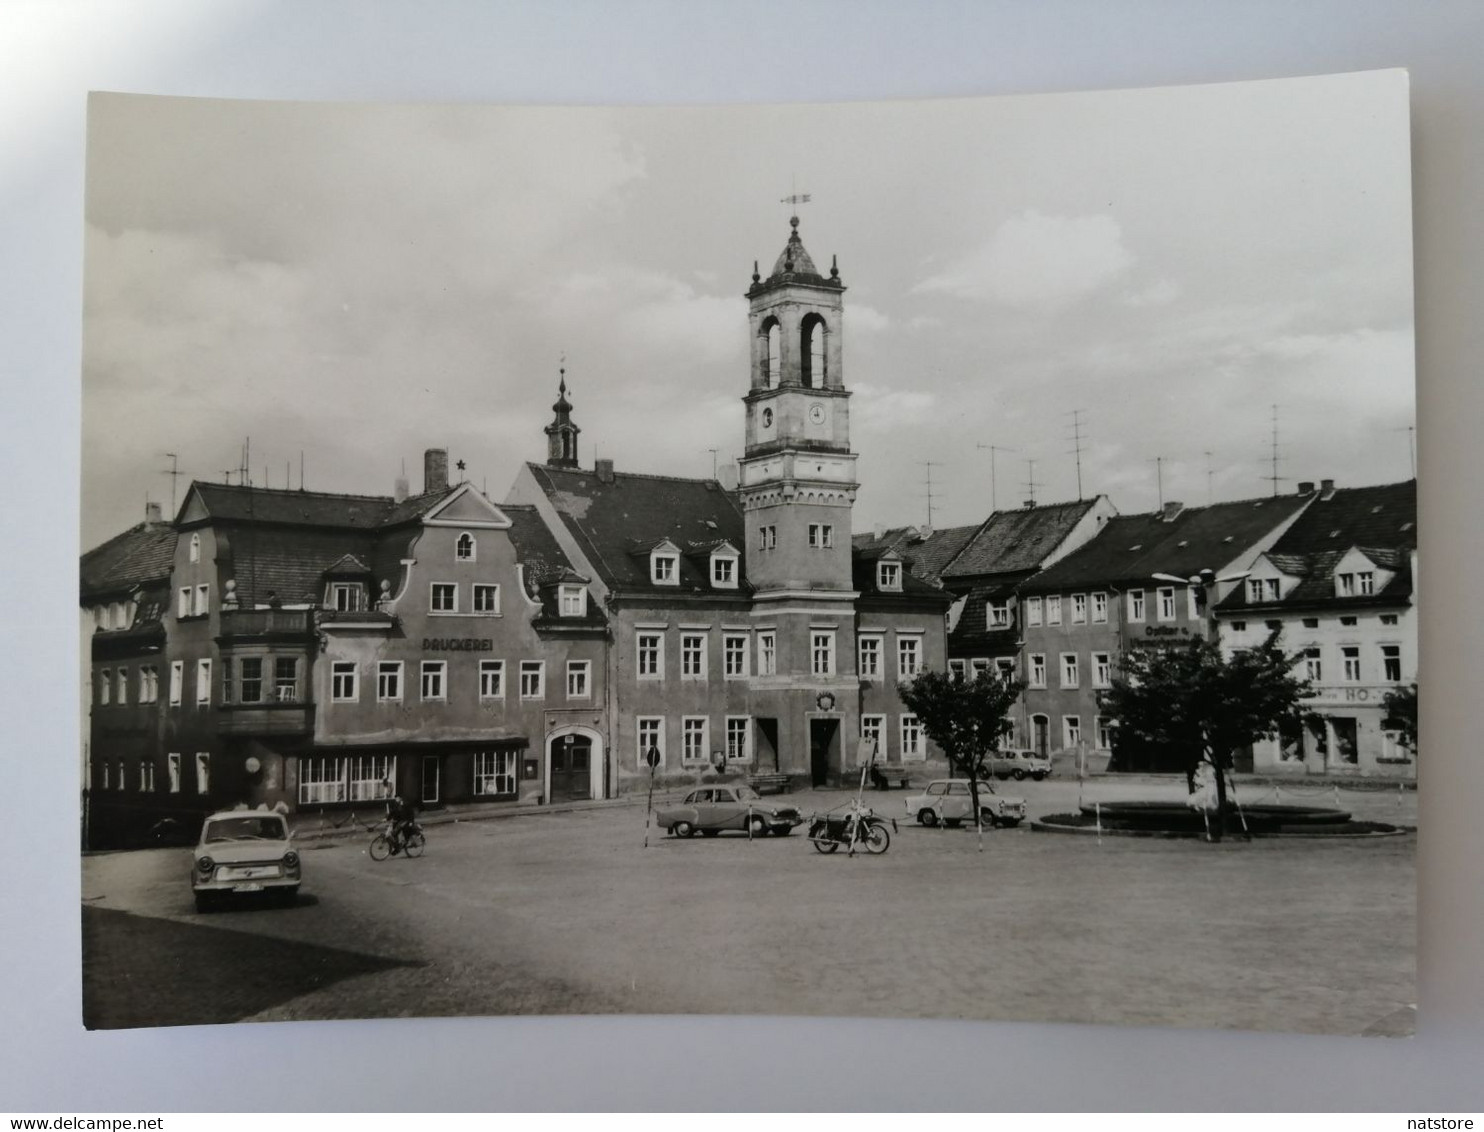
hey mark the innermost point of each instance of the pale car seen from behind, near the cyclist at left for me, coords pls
(244, 852)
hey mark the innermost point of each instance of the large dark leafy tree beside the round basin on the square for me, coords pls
(1204, 705)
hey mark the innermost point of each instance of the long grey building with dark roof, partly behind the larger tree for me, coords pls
(1137, 585)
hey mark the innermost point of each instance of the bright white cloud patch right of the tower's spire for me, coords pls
(1038, 260)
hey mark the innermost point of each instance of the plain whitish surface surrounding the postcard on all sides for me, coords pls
(53, 54)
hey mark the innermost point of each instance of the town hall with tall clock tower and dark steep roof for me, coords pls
(746, 625)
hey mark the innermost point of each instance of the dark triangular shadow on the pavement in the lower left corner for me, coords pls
(143, 973)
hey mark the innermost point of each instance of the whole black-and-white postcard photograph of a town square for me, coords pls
(937, 560)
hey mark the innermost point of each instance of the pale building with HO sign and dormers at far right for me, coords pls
(1341, 590)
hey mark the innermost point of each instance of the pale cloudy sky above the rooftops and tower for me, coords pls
(361, 283)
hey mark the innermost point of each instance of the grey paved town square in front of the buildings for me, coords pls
(569, 913)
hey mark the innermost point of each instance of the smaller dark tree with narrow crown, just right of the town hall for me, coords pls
(965, 719)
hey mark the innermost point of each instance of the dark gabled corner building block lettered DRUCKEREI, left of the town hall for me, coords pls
(308, 651)
